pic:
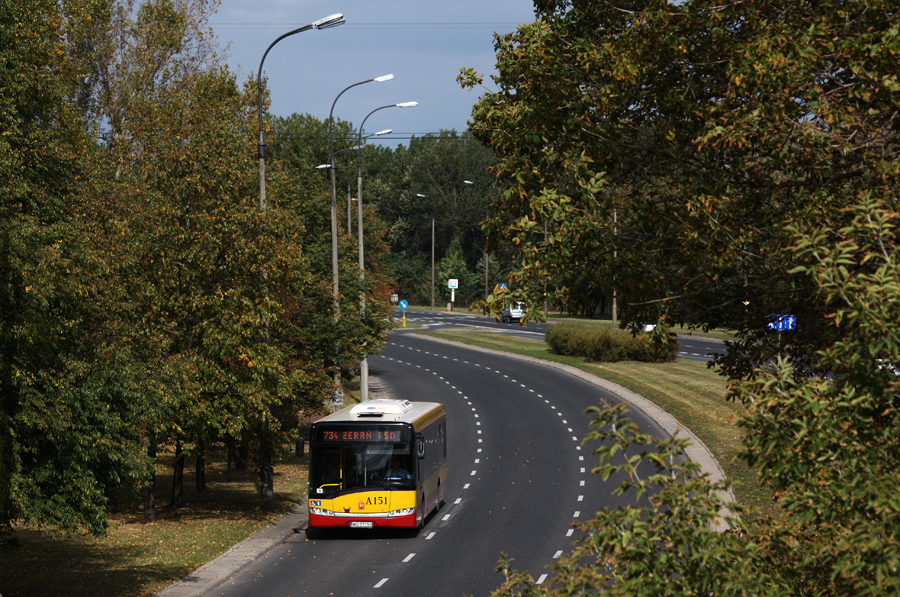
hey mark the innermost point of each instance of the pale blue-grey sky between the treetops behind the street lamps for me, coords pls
(423, 44)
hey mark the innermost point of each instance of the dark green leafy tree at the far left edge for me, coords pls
(69, 418)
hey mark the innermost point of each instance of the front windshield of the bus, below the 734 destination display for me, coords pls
(337, 469)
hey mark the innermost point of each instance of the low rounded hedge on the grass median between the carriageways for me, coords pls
(604, 344)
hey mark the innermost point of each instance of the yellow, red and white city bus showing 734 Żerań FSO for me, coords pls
(380, 463)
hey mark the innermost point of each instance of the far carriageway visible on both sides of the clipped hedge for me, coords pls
(692, 348)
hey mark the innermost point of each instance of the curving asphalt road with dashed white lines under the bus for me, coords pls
(518, 476)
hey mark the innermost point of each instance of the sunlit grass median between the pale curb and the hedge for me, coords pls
(688, 390)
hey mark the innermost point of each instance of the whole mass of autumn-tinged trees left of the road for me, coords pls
(146, 297)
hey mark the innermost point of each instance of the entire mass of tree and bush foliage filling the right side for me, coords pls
(717, 164)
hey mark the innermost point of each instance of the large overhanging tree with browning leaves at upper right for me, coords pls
(669, 149)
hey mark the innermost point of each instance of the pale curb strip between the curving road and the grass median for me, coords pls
(696, 450)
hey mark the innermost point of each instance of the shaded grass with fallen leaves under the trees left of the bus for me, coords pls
(141, 558)
